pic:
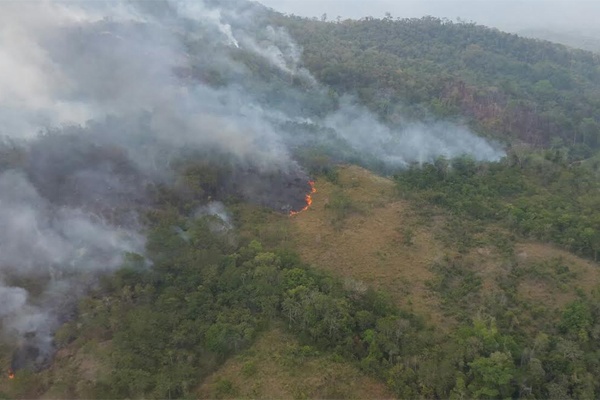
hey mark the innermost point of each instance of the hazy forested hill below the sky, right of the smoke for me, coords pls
(536, 91)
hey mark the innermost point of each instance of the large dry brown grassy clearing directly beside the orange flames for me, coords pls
(368, 245)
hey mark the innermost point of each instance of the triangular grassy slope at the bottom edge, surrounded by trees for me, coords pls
(278, 367)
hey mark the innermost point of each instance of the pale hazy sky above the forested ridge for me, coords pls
(509, 15)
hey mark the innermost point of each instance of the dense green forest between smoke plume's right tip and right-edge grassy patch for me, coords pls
(528, 196)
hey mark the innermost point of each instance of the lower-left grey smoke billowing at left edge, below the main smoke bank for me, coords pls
(61, 250)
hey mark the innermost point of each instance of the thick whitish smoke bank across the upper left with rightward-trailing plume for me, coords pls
(86, 61)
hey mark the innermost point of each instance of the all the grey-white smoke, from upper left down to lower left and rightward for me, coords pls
(98, 99)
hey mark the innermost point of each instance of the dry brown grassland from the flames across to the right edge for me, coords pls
(369, 246)
